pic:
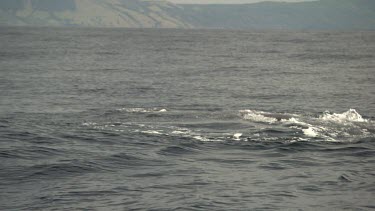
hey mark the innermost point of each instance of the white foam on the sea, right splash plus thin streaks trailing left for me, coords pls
(342, 127)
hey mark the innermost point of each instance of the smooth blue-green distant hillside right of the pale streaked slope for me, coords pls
(323, 14)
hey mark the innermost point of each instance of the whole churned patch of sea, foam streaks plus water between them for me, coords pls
(253, 125)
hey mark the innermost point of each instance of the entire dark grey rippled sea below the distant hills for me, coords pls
(110, 119)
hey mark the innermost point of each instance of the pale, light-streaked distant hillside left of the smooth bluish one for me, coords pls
(96, 13)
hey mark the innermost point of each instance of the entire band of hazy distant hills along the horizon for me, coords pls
(323, 14)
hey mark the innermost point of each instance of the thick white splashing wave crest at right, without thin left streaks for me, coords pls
(337, 127)
